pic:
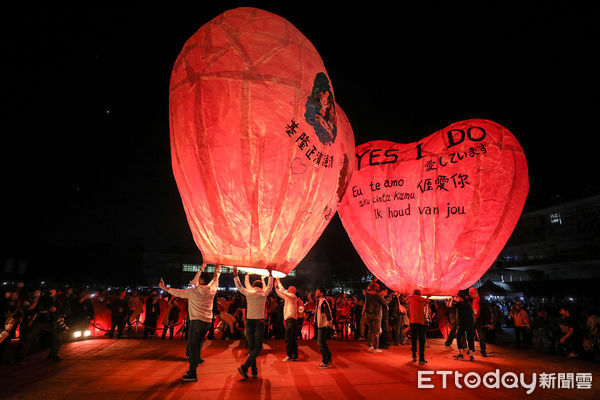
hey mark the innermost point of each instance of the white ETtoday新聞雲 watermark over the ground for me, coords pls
(508, 380)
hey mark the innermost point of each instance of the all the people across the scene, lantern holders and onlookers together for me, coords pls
(33, 317)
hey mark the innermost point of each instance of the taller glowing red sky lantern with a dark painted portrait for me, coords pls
(261, 153)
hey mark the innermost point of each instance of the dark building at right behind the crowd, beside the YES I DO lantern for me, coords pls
(553, 251)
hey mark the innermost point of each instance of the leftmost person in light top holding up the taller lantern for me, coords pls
(200, 308)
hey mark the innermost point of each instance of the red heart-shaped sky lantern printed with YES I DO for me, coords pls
(434, 215)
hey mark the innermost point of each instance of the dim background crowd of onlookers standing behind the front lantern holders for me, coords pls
(36, 317)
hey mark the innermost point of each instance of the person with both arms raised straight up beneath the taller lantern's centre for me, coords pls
(256, 297)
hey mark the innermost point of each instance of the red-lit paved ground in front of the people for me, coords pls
(151, 369)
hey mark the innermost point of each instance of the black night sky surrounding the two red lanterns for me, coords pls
(86, 157)
